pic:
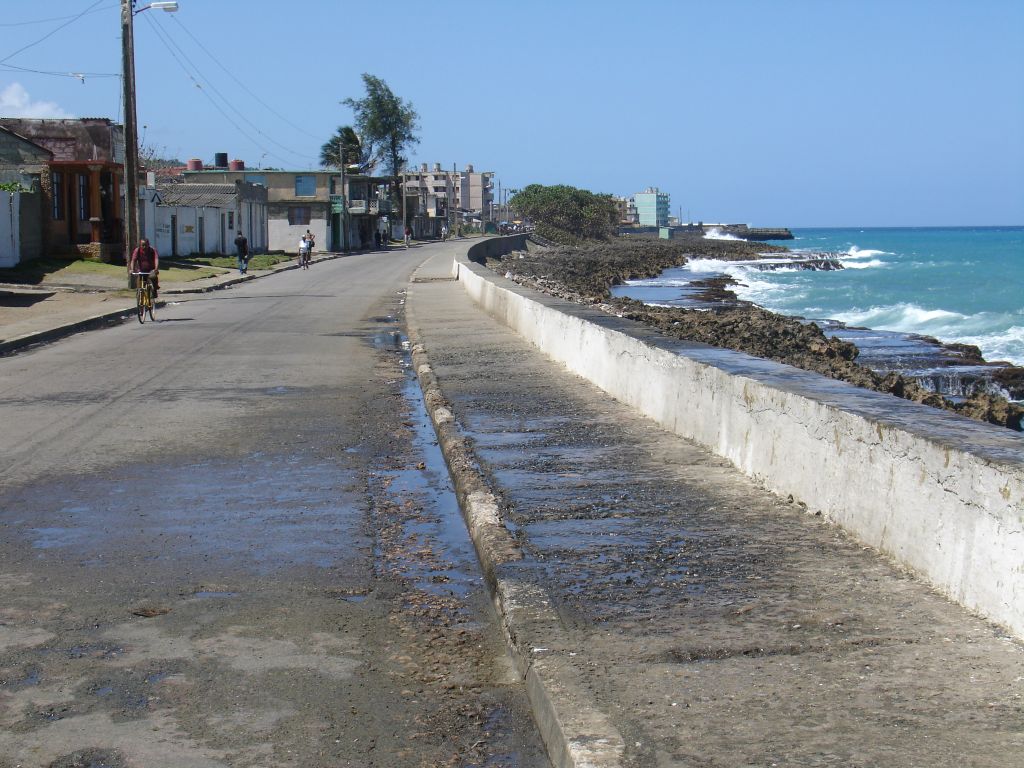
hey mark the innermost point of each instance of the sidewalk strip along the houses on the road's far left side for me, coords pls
(33, 315)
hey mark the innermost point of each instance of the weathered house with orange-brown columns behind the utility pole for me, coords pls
(81, 184)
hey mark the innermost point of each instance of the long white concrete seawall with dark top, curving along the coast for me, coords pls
(941, 494)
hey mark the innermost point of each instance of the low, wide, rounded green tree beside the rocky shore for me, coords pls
(563, 209)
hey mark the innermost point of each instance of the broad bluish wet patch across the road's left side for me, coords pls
(265, 514)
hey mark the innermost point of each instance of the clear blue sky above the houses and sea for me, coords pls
(786, 113)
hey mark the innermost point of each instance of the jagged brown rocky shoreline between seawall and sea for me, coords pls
(586, 275)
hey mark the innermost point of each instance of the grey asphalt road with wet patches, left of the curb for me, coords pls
(227, 539)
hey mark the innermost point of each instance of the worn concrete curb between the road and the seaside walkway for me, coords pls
(577, 733)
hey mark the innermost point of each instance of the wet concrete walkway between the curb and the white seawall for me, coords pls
(712, 623)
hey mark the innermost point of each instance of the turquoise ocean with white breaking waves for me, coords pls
(961, 285)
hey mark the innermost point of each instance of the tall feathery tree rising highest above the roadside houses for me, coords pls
(386, 121)
